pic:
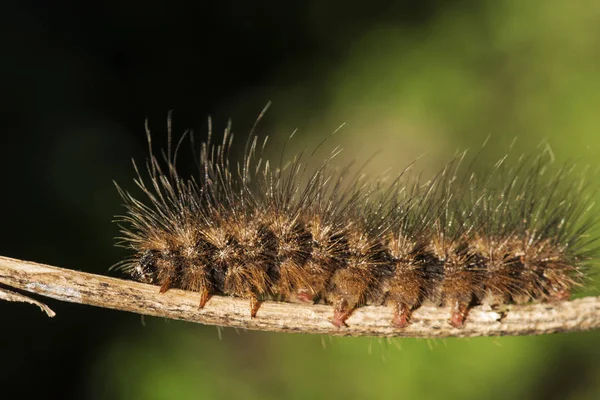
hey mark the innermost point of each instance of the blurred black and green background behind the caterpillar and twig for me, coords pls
(407, 78)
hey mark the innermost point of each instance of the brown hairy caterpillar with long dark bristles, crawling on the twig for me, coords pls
(254, 230)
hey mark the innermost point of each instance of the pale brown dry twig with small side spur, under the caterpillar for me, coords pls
(427, 322)
